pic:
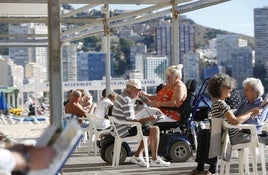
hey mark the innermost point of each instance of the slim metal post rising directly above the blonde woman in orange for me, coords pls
(175, 34)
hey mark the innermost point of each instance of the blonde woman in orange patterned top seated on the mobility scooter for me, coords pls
(172, 94)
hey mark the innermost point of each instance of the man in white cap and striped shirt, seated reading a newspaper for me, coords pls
(124, 110)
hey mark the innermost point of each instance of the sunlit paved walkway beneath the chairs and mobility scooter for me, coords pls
(80, 163)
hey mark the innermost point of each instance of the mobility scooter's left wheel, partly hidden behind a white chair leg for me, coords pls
(107, 154)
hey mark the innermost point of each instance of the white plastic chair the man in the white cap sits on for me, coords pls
(119, 140)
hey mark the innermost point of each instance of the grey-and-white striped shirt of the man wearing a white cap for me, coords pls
(123, 109)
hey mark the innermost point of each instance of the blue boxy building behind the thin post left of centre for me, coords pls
(91, 66)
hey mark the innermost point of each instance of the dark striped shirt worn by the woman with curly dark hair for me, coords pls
(219, 108)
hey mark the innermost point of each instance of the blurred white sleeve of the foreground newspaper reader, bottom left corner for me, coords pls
(7, 161)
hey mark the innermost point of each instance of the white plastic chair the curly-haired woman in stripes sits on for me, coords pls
(243, 150)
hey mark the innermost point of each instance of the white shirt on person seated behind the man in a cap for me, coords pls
(100, 111)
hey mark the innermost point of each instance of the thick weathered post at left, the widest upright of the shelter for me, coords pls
(55, 70)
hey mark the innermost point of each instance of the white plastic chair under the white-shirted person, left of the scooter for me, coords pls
(93, 131)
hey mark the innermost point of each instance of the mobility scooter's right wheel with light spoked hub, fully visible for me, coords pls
(180, 152)
